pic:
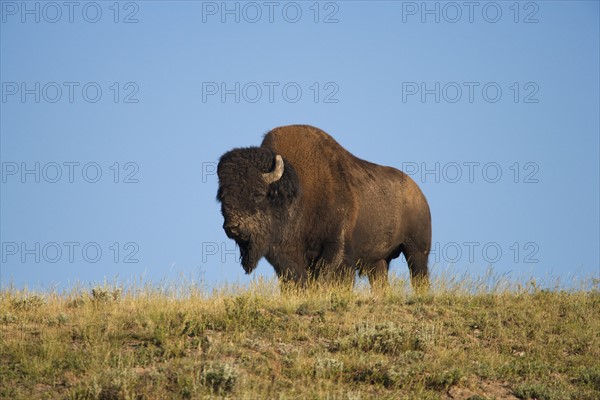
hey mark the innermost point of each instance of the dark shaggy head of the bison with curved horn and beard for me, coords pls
(257, 190)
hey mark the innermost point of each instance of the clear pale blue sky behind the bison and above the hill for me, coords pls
(114, 115)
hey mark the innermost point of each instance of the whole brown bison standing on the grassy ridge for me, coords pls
(313, 209)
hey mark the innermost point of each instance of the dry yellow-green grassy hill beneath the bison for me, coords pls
(457, 342)
